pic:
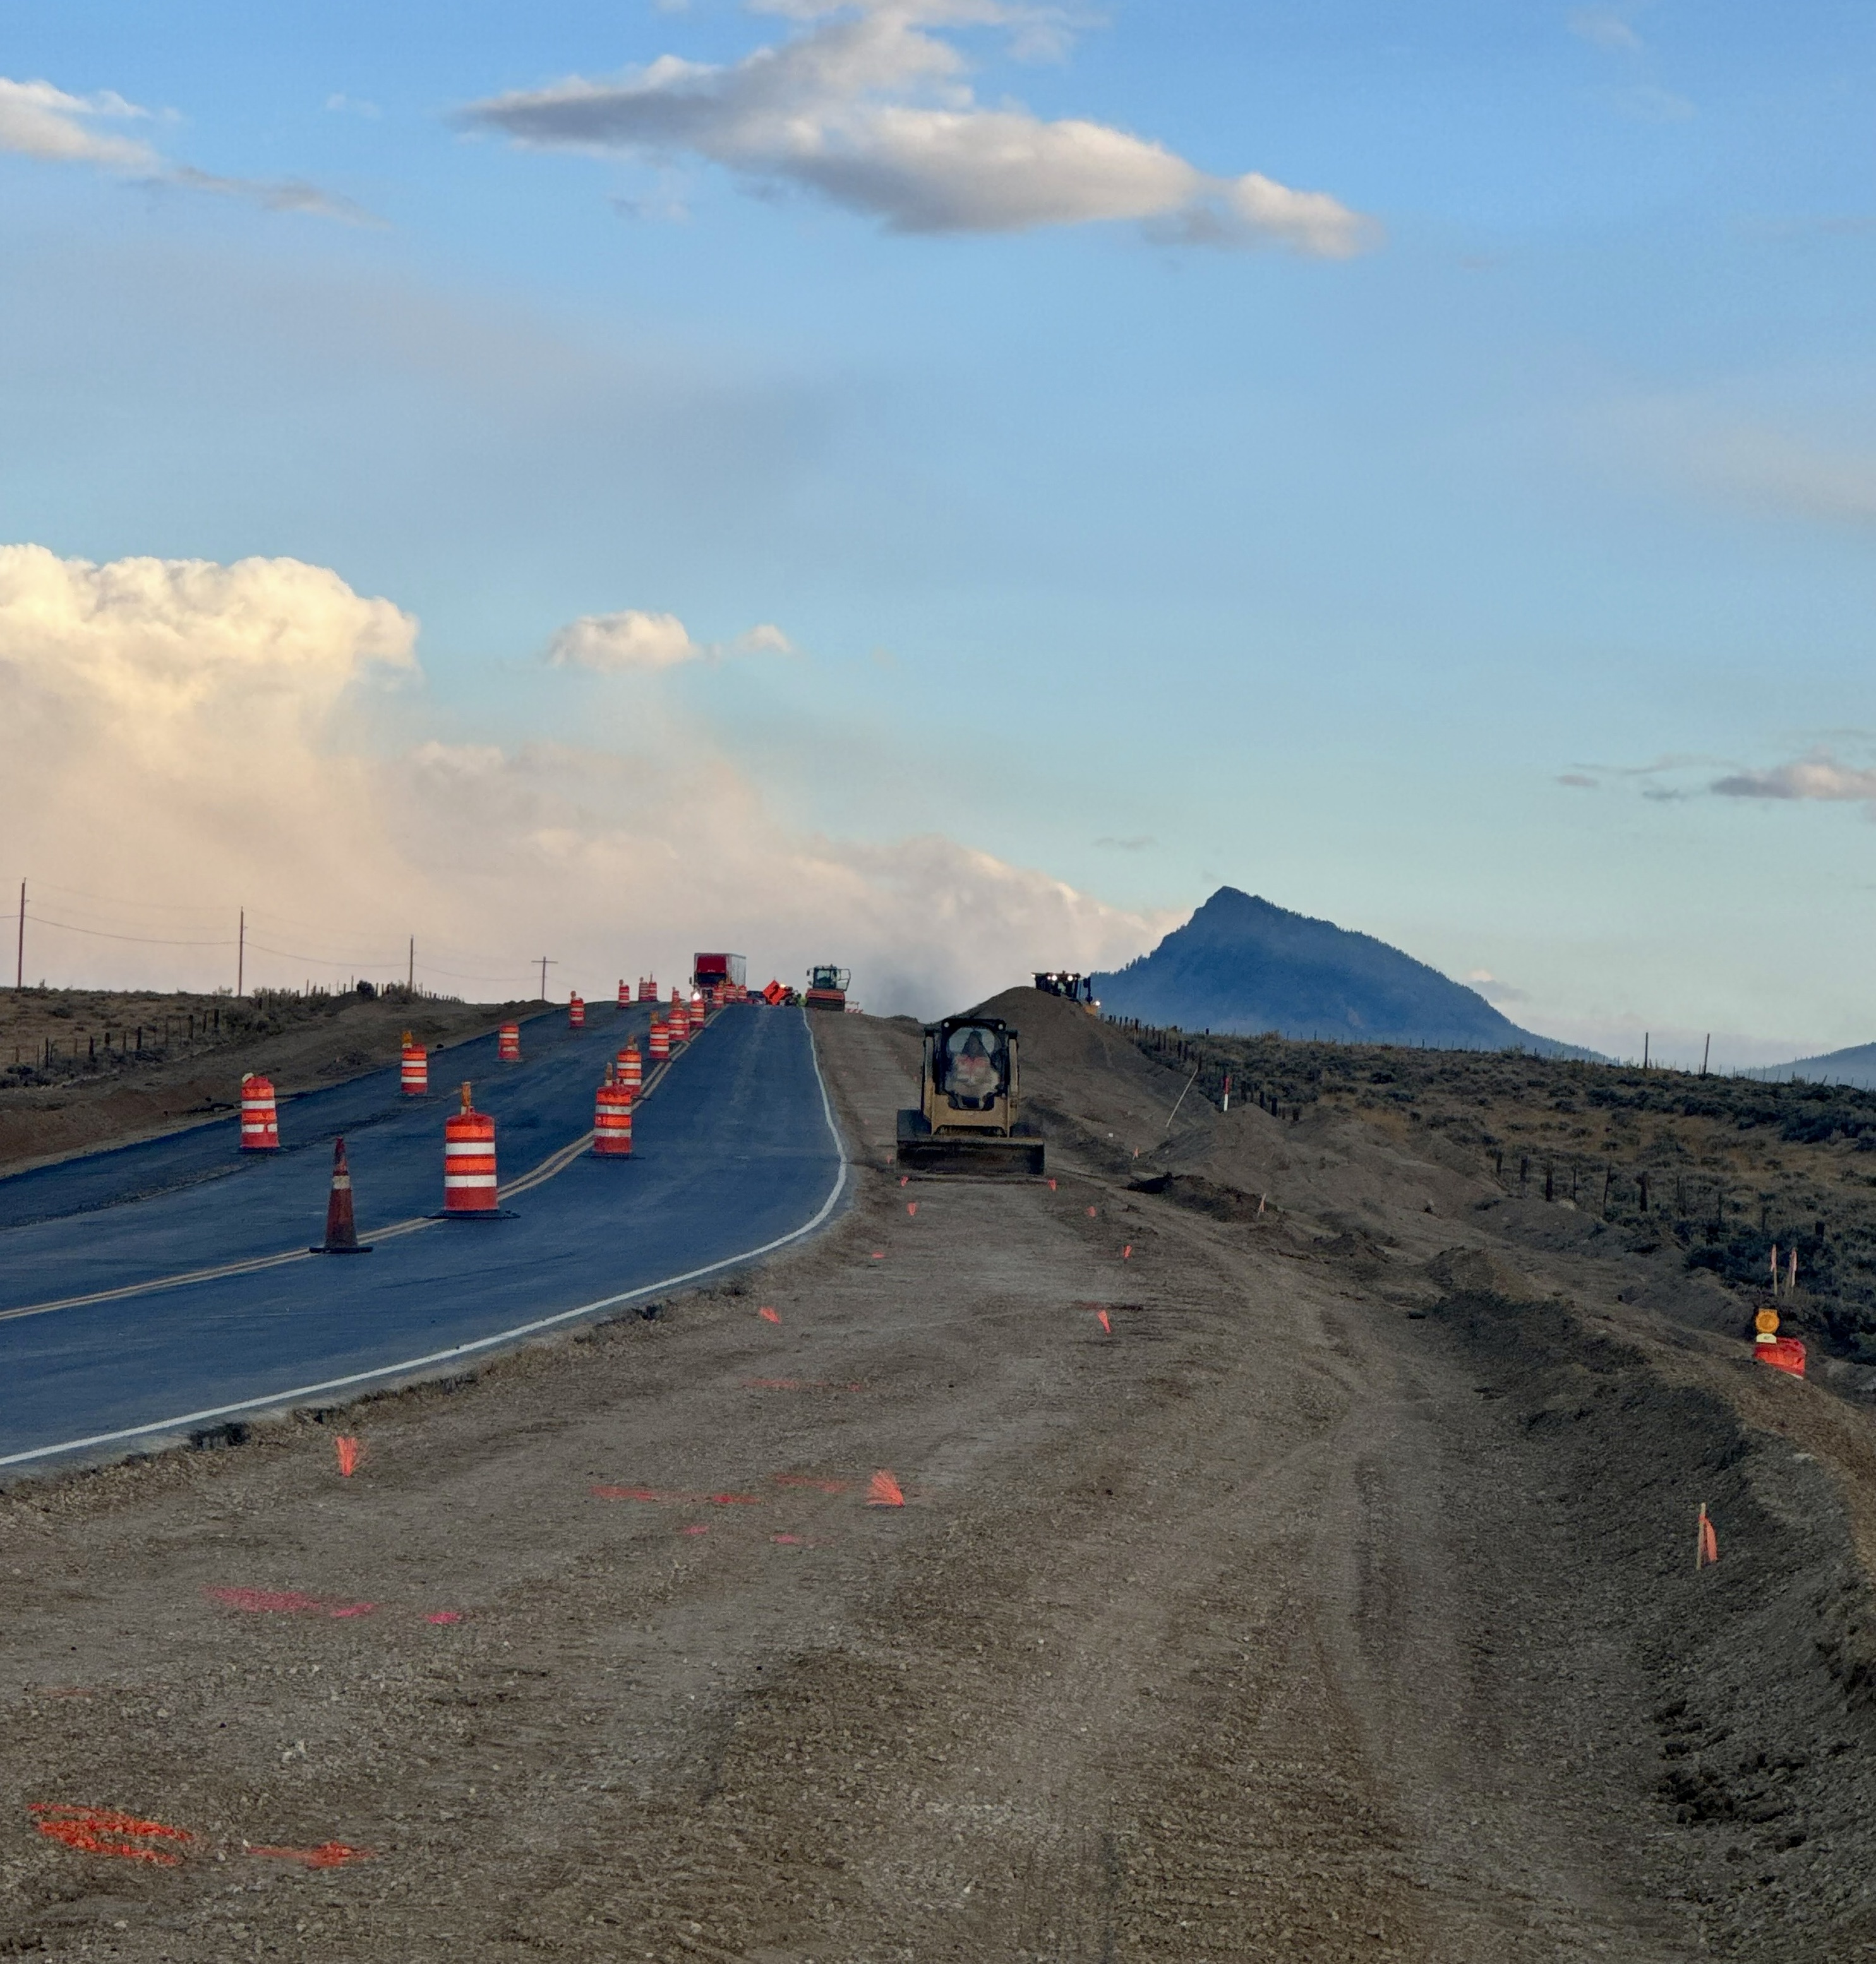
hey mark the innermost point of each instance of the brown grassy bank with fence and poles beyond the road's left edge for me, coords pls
(83, 1069)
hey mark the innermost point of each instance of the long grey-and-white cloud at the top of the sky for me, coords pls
(873, 111)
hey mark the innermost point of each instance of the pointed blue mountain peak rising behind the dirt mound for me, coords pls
(1242, 965)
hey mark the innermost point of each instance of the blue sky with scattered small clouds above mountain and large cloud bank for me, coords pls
(1486, 567)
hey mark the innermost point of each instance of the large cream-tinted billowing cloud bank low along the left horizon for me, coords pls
(190, 736)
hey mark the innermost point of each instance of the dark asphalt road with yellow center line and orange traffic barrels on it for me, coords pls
(734, 1152)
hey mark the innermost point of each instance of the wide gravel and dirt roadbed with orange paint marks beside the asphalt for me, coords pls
(1311, 1609)
